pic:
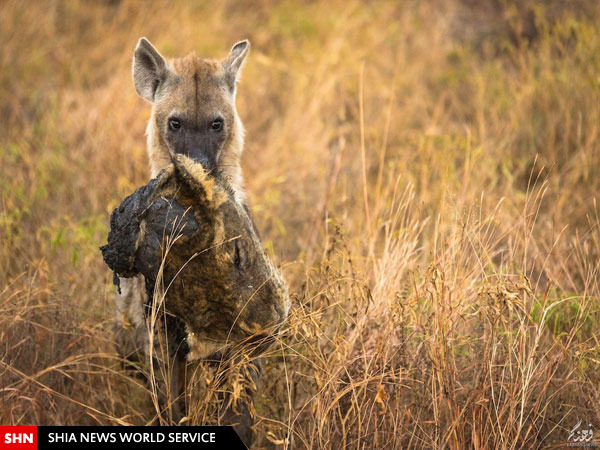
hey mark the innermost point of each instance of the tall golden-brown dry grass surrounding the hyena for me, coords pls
(426, 175)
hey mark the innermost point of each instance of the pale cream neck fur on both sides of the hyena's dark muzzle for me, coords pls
(229, 161)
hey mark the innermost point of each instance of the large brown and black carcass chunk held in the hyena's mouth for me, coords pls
(186, 230)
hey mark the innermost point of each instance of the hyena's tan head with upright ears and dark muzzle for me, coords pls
(193, 108)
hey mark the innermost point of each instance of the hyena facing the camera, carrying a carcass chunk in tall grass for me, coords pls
(193, 114)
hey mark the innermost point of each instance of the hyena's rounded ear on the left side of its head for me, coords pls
(149, 69)
